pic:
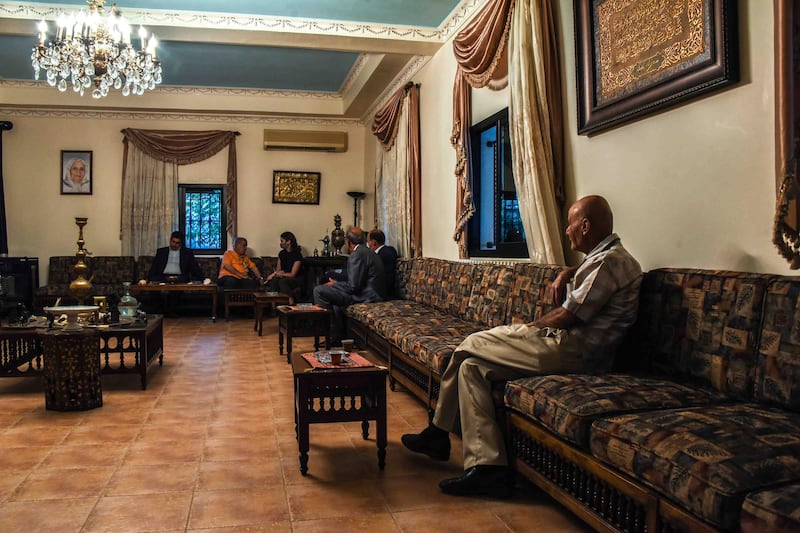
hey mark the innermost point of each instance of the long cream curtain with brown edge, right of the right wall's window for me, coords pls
(536, 129)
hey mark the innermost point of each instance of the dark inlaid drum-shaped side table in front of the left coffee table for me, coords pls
(72, 370)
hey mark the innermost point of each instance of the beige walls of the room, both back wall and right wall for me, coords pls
(691, 187)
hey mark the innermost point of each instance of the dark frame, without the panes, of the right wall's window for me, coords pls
(501, 250)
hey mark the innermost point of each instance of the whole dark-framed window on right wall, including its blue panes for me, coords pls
(495, 230)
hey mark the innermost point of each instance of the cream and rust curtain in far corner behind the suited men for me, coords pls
(398, 173)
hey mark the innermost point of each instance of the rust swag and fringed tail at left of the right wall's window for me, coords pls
(480, 51)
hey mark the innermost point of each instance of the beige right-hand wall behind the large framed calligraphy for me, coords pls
(691, 187)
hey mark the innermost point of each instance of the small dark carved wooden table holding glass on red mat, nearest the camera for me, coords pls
(325, 395)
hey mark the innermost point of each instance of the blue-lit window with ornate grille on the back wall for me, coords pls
(202, 218)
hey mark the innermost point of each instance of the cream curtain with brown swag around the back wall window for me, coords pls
(148, 212)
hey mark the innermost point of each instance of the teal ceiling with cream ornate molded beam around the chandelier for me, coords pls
(281, 45)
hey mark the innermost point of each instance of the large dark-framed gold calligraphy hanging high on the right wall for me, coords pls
(637, 57)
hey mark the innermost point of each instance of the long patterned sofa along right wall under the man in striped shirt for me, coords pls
(697, 428)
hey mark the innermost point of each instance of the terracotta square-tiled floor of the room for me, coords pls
(210, 446)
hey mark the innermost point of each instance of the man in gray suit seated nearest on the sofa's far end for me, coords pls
(366, 282)
